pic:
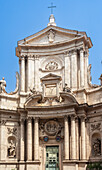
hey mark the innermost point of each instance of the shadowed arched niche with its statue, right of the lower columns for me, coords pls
(96, 144)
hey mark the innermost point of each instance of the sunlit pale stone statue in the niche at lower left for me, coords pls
(12, 148)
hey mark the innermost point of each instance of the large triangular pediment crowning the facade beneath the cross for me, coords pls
(51, 35)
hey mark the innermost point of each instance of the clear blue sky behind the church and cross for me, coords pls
(21, 18)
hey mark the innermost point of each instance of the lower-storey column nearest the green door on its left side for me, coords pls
(36, 139)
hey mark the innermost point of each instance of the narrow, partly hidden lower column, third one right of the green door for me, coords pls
(77, 137)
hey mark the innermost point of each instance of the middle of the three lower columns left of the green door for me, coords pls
(29, 139)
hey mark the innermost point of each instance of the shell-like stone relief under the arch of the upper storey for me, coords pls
(52, 65)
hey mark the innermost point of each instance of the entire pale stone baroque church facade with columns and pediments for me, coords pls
(53, 119)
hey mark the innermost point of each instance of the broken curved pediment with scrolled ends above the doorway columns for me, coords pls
(37, 100)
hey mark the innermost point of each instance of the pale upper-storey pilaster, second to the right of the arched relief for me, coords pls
(74, 69)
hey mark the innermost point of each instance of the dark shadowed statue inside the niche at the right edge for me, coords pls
(97, 147)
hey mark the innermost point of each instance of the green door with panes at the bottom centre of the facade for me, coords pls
(52, 158)
